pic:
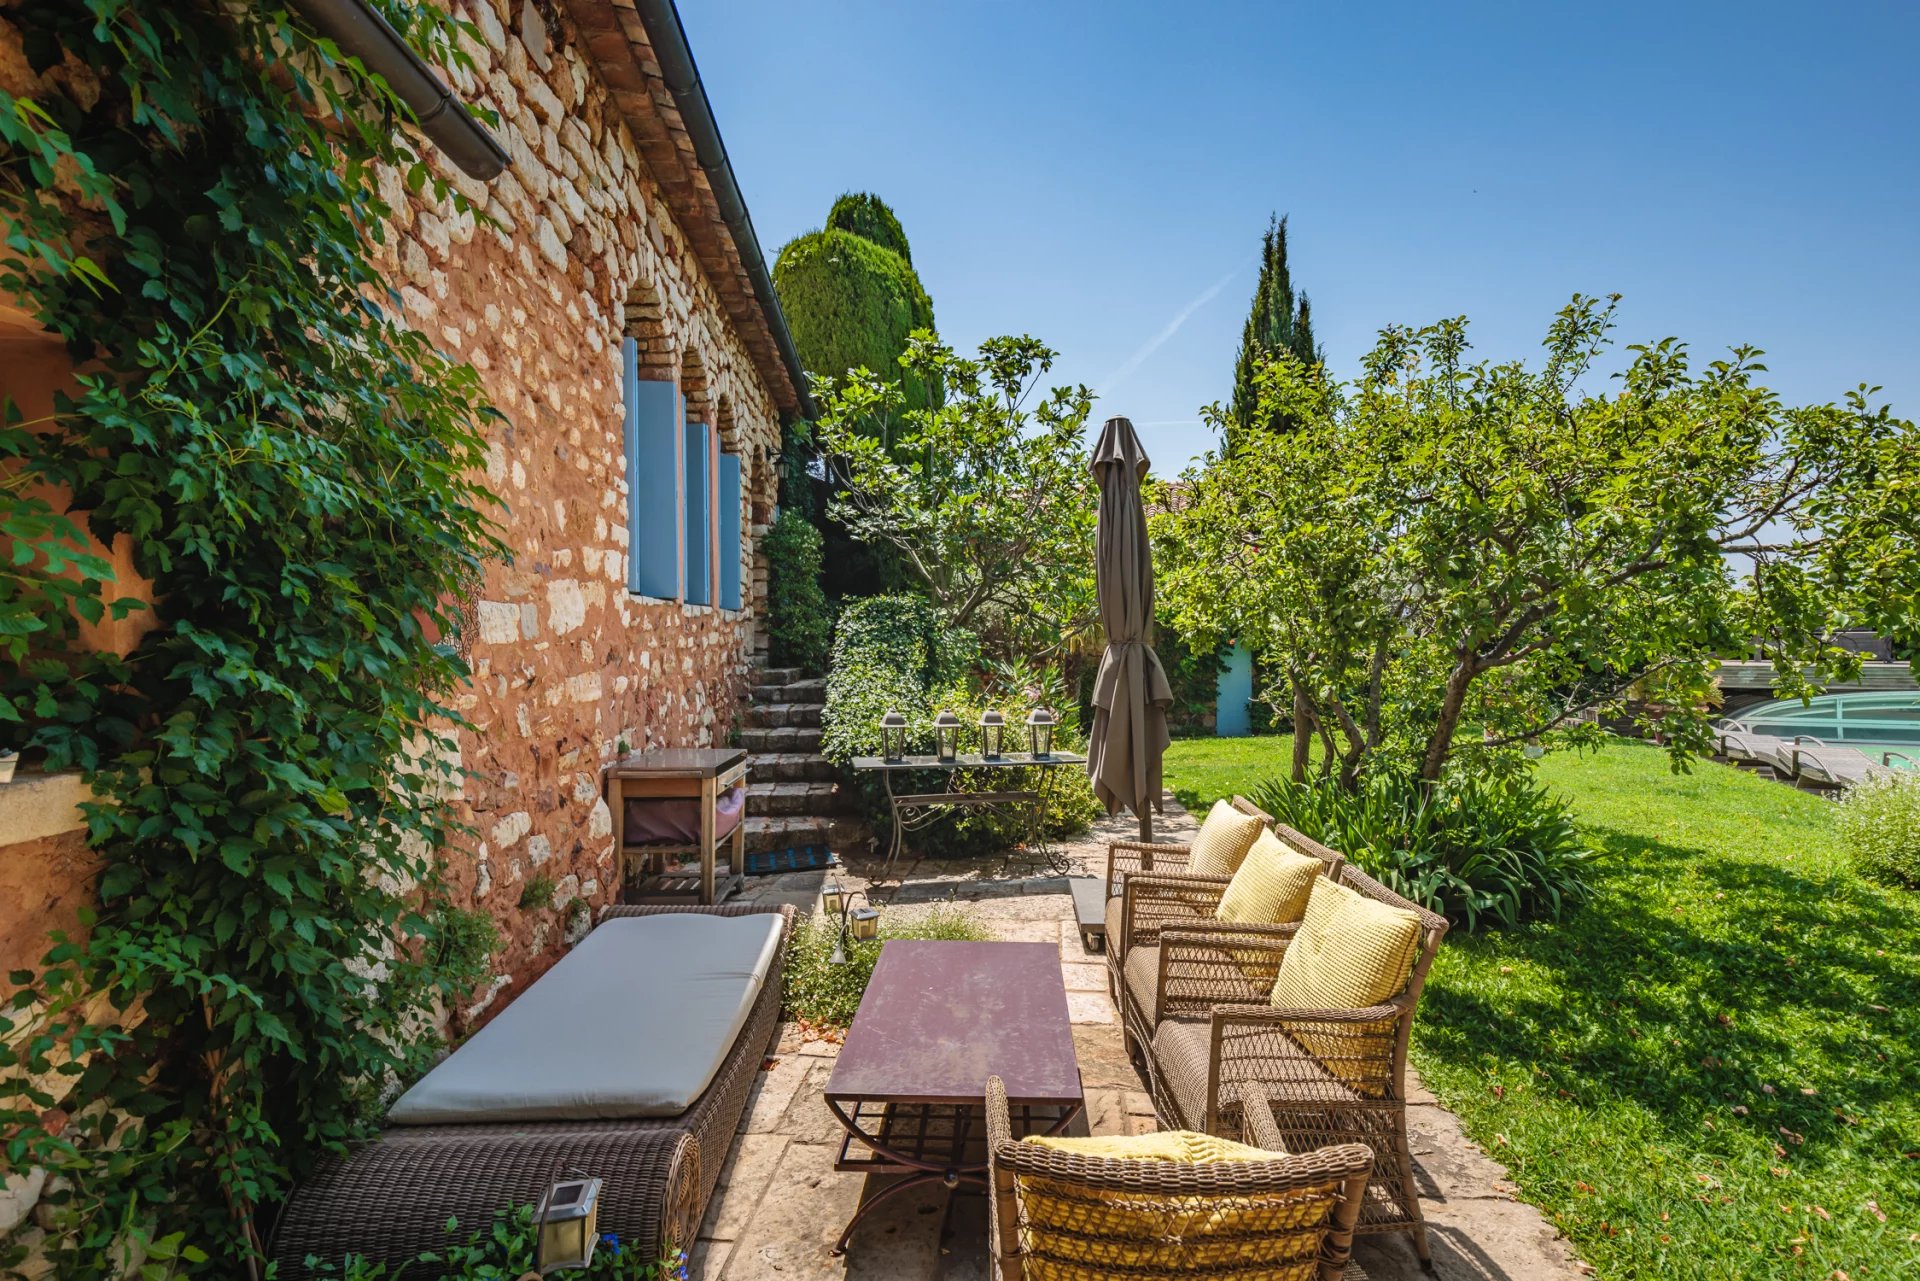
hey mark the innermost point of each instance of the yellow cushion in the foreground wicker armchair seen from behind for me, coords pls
(1070, 1232)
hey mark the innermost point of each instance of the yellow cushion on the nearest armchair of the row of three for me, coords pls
(1351, 954)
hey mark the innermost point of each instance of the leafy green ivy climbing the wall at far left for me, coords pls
(191, 201)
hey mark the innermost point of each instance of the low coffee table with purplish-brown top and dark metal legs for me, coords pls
(940, 1019)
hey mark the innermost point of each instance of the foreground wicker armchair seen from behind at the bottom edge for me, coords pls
(1088, 1219)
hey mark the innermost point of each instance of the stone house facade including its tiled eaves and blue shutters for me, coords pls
(612, 258)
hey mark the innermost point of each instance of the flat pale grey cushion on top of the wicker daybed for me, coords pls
(633, 1023)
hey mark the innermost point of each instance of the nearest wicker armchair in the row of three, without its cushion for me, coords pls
(1330, 1076)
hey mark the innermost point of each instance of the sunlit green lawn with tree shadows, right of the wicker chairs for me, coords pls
(1714, 1069)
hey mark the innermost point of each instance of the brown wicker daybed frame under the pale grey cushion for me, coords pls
(393, 1199)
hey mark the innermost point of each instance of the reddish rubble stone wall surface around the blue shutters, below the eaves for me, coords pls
(569, 665)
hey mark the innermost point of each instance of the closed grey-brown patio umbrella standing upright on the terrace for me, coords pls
(1132, 694)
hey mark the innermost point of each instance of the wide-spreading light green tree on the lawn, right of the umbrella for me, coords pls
(1443, 546)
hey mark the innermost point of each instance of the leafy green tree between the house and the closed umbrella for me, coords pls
(988, 504)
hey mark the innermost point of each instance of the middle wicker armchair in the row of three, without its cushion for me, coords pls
(1155, 902)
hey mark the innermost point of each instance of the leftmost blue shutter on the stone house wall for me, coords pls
(654, 447)
